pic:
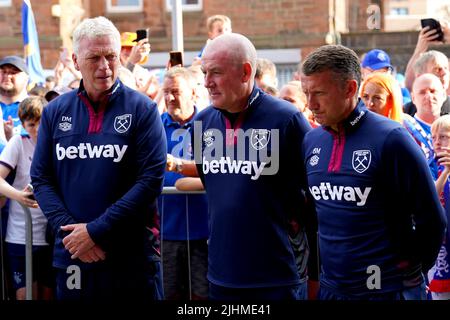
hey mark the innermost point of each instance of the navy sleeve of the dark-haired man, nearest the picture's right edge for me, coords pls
(416, 218)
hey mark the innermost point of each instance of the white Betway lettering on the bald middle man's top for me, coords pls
(226, 165)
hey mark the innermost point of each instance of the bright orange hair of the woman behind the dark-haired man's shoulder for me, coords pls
(394, 107)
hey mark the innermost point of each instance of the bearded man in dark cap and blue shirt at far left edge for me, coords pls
(13, 89)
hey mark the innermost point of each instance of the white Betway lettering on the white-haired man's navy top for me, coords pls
(88, 151)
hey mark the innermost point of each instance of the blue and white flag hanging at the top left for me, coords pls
(31, 44)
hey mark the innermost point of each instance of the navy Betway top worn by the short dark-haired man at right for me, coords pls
(376, 204)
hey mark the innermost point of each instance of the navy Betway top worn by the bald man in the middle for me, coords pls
(253, 180)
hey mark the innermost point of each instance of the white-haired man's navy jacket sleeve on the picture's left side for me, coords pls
(43, 177)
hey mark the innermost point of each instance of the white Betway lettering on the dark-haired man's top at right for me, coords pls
(326, 191)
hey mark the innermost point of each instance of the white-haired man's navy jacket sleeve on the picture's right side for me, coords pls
(151, 150)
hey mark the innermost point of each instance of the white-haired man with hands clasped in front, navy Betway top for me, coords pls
(97, 171)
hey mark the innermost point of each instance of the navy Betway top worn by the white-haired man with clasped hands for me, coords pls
(102, 167)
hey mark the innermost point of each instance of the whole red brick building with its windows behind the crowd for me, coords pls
(282, 30)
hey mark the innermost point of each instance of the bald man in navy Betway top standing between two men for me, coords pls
(249, 161)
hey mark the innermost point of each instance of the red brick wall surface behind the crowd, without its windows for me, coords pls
(270, 24)
